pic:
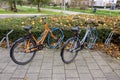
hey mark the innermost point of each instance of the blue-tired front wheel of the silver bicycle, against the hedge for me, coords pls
(91, 38)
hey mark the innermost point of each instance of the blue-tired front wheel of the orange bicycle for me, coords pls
(52, 43)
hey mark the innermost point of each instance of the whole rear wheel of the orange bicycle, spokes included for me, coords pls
(18, 54)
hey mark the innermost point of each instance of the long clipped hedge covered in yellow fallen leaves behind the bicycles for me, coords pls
(63, 22)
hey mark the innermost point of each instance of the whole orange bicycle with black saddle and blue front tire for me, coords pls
(24, 49)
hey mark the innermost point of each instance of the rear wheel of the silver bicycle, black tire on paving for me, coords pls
(68, 51)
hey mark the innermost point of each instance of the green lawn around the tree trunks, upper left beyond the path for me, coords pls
(26, 10)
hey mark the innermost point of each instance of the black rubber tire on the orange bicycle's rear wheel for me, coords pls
(12, 51)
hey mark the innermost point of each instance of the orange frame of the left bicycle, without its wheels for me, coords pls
(41, 41)
